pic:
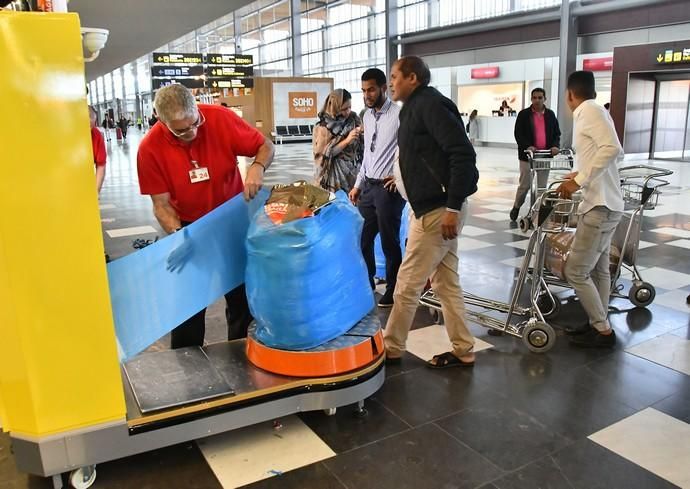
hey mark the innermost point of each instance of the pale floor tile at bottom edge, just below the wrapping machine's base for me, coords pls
(258, 452)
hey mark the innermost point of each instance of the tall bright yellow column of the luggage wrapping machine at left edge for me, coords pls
(58, 360)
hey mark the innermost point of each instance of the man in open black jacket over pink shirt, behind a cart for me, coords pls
(536, 128)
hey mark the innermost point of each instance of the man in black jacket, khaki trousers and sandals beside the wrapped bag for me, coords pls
(438, 169)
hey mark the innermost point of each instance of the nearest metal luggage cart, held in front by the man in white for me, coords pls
(532, 327)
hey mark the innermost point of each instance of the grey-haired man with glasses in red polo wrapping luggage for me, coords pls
(188, 165)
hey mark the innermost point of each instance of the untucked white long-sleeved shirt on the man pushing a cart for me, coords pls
(597, 152)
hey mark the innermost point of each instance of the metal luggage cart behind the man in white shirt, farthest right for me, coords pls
(640, 186)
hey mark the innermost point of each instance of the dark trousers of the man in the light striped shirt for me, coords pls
(382, 211)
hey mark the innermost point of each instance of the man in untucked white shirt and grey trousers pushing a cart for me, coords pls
(597, 152)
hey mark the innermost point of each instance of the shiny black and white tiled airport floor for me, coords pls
(565, 419)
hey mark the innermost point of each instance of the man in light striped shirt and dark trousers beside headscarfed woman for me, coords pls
(374, 192)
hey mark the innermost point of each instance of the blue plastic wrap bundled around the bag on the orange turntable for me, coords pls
(306, 280)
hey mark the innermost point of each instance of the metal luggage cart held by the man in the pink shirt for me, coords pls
(541, 163)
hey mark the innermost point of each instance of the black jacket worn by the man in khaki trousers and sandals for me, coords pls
(437, 161)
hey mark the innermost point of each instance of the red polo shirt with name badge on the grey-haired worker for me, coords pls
(164, 162)
